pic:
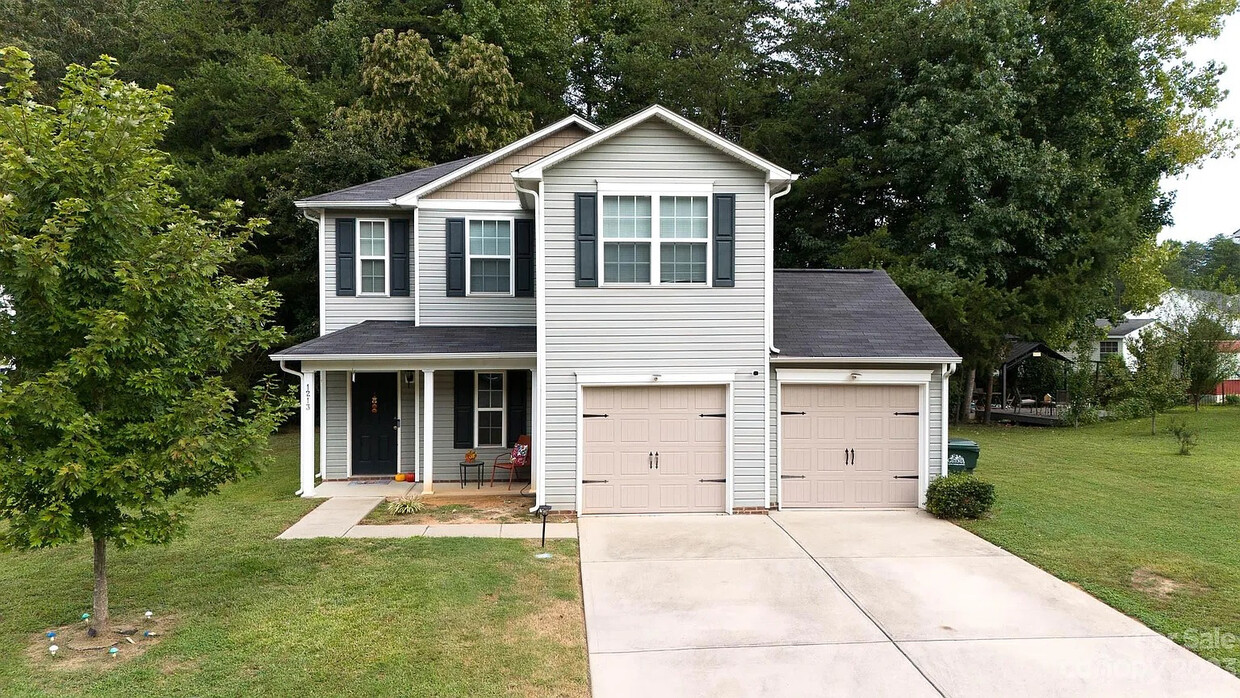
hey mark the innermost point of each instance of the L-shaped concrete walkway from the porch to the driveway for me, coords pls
(339, 519)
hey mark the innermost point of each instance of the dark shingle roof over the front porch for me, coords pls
(400, 338)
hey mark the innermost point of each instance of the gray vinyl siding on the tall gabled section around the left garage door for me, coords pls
(658, 329)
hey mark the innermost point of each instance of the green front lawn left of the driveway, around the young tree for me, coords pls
(257, 617)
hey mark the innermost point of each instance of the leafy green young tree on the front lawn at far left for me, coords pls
(113, 410)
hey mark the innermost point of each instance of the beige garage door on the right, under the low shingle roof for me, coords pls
(850, 446)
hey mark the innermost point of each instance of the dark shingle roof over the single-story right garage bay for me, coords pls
(850, 314)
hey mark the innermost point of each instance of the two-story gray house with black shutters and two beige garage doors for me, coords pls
(612, 293)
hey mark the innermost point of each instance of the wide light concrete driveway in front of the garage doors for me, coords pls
(866, 604)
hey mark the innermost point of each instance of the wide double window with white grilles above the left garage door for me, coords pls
(655, 240)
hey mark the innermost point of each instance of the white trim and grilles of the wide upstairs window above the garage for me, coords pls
(655, 240)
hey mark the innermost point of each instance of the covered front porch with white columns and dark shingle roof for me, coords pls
(394, 399)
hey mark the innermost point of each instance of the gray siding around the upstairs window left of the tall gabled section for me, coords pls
(437, 307)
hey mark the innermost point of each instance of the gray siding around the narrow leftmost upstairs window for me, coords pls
(344, 312)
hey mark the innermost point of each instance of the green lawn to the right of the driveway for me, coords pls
(1103, 504)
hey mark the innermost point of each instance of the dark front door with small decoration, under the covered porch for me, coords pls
(375, 425)
